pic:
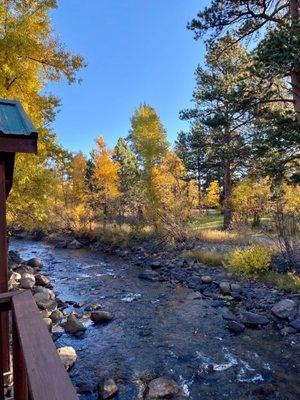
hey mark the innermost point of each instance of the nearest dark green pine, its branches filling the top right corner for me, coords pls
(276, 24)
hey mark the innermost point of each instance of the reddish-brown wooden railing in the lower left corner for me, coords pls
(38, 373)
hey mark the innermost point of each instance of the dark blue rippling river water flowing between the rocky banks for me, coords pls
(161, 329)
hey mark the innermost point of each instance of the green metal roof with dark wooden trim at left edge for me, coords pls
(13, 119)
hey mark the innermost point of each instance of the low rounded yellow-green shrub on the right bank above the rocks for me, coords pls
(249, 261)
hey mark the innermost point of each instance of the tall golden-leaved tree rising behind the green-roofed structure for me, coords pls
(30, 57)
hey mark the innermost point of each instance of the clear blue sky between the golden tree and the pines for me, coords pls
(137, 51)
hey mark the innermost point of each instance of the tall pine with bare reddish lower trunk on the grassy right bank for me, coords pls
(226, 121)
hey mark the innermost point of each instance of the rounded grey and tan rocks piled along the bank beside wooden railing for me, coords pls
(27, 275)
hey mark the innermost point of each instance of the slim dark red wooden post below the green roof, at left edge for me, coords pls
(3, 269)
